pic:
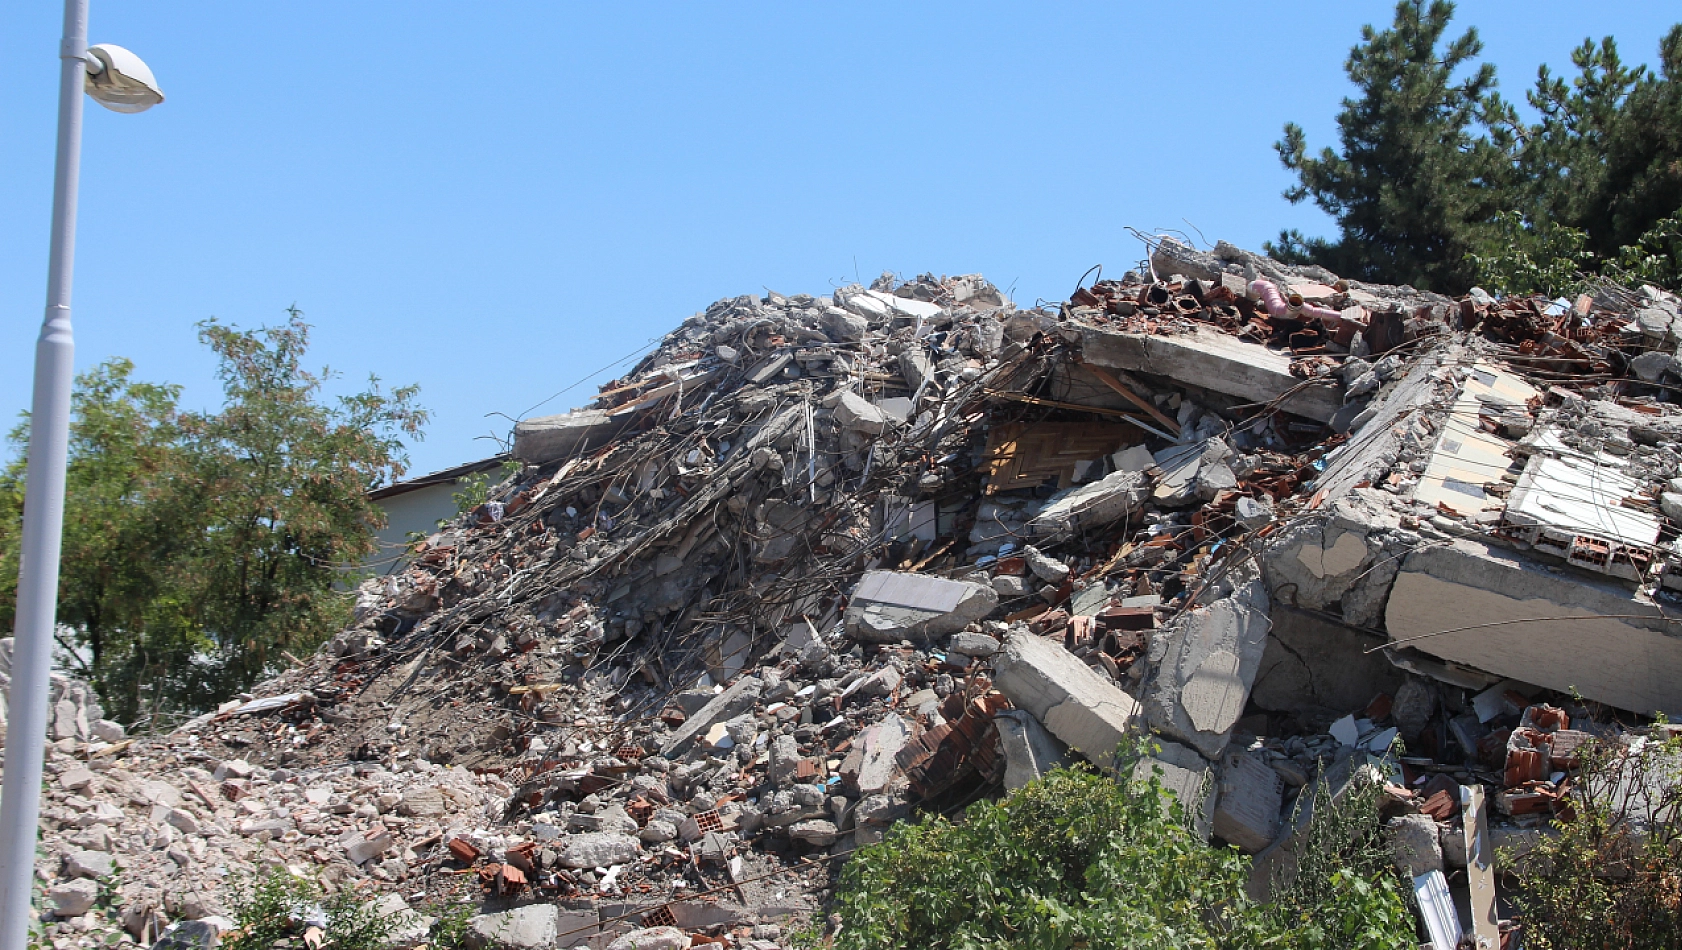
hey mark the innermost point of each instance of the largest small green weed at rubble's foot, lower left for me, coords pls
(280, 909)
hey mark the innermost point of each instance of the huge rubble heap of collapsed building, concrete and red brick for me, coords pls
(818, 564)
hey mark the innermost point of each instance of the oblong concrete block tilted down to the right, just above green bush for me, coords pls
(1072, 702)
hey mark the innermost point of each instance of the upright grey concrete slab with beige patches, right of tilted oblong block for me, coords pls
(1205, 663)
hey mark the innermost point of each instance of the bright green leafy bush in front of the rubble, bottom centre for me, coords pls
(1079, 860)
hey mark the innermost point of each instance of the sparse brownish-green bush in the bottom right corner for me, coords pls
(1611, 879)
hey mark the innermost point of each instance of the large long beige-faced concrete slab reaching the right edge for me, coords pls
(1493, 610)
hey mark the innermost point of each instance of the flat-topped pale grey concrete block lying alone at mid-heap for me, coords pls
(892, 606)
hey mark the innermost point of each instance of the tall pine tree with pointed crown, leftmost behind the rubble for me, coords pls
(1420, 172)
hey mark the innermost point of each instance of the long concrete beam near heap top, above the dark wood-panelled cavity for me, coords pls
(1212, 361)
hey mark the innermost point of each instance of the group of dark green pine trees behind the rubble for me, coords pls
(1442, 184)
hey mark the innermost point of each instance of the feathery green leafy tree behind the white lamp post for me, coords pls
(199, 547)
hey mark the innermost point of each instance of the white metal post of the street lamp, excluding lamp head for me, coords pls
(38, 586)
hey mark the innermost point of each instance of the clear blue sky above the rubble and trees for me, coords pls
(497, 199)
